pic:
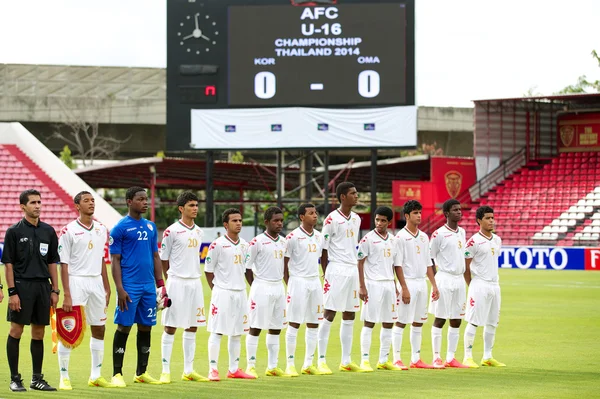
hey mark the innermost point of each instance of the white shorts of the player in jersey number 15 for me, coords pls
(381, 305)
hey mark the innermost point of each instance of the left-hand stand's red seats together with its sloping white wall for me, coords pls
(26, 163)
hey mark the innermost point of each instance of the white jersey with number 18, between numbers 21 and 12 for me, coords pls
(265, 257)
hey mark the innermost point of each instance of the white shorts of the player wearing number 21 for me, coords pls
(228, 312)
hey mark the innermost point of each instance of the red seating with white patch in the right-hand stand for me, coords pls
(547, 202)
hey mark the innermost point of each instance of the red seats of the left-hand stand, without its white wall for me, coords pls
(20, 173)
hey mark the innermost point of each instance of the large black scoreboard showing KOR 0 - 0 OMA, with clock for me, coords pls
(274, 53)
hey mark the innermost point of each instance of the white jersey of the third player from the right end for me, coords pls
(412, 253)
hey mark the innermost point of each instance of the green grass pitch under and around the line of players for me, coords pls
(549, 337)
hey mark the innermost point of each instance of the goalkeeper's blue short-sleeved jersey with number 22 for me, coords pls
(136, 241)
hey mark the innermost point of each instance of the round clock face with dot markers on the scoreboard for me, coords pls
(198, 33)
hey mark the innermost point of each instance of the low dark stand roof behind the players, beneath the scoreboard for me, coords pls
(191, 173)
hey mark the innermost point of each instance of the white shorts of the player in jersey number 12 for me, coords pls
(305, 300)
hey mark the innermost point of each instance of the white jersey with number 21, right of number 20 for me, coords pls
(226, 259)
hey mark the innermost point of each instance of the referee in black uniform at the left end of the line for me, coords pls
(30, 257)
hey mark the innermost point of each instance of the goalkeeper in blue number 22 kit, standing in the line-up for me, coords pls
(136, 268)
